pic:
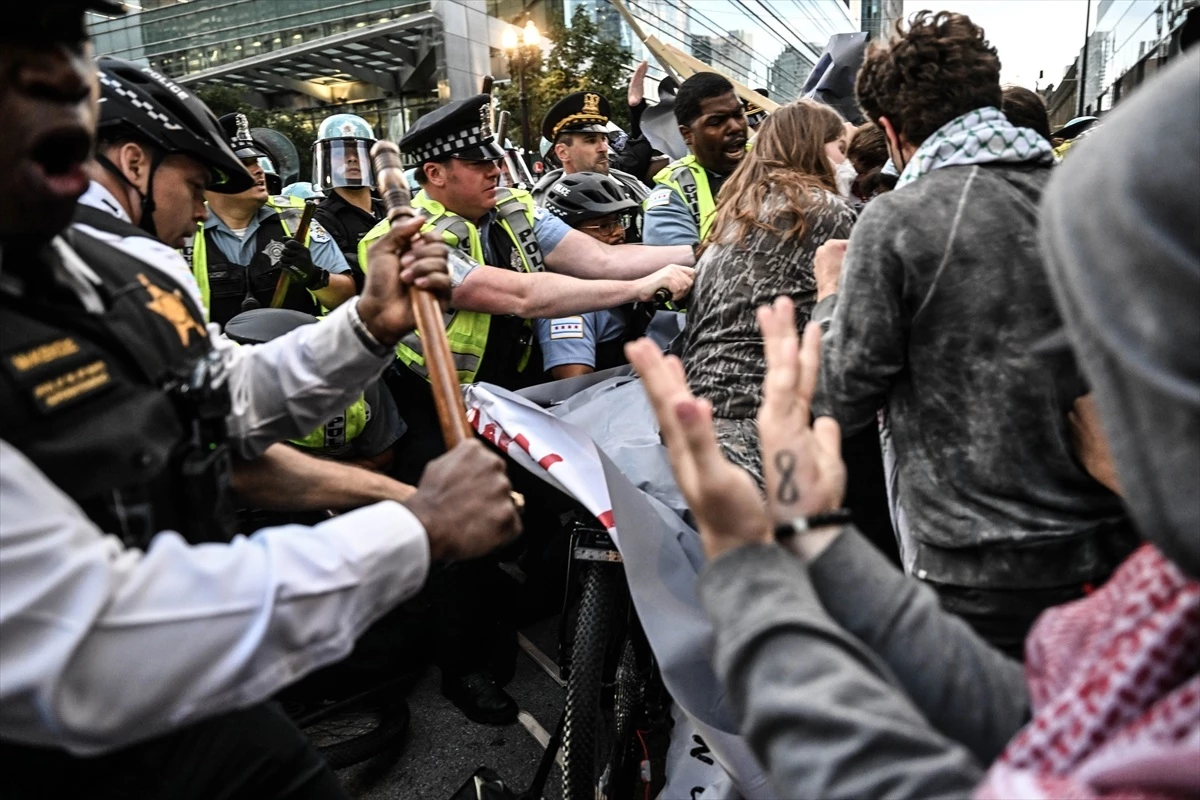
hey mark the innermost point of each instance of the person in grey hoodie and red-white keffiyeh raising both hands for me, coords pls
(827, 654)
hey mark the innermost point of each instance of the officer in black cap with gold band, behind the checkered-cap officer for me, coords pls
(578, 127)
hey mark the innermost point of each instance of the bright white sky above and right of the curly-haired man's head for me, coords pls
(1030, 35)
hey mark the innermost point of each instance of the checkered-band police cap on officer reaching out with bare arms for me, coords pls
(460, 130)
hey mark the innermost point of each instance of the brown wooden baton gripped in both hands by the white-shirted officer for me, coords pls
(430, 326)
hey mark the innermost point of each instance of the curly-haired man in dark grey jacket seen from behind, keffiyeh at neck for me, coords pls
(937, 330)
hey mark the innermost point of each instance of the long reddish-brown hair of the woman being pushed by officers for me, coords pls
(789, 163)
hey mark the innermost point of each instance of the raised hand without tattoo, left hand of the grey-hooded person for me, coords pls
(725, 500)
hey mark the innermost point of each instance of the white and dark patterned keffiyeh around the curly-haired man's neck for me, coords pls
(983, 136)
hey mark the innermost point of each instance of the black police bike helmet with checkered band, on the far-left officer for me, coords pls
(149, 107)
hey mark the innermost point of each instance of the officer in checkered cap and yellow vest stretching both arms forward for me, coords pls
(511, 245)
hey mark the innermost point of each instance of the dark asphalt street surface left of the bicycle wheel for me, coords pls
(443, 748)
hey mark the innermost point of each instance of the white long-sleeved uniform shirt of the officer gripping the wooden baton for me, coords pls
(103, 646)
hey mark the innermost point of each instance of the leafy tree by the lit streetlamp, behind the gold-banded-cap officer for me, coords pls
(579, 61)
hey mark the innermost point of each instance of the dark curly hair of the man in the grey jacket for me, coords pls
(938, 69)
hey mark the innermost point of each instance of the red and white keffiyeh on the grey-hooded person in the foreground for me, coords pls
(1115, 690)
